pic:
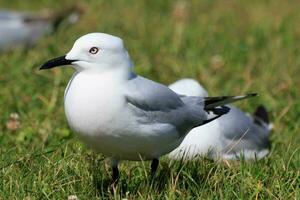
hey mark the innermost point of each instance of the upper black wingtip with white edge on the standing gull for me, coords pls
(213, 102)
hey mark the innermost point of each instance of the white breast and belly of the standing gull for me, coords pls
(96, 110)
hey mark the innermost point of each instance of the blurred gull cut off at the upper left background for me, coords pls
(25, 28)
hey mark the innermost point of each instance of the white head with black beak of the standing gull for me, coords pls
(94, 51)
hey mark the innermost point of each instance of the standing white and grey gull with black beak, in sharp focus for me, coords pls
(122, 115)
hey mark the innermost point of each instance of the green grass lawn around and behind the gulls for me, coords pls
(257, 44)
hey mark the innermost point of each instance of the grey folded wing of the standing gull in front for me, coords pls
(152, 102)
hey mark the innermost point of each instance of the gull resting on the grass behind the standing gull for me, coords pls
(230, 137)
